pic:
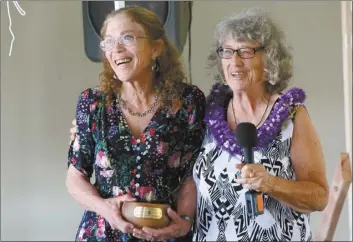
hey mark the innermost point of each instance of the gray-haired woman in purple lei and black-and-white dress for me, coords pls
(252, 66)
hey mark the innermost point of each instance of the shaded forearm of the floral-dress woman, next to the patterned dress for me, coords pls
(186, 200)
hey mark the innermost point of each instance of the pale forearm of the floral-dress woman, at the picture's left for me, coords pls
(84, 192)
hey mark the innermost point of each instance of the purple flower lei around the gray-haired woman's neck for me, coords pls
(224, 136)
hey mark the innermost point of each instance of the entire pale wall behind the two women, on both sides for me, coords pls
(48, 68)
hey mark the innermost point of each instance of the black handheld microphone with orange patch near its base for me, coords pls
(246, 136)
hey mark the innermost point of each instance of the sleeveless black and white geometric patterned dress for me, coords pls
(221, 208)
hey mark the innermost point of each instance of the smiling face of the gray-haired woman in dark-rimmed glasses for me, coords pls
(242, 74)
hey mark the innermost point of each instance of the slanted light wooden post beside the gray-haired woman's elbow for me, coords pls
(341, 182)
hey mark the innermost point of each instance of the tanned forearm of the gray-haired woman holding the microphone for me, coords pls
(302, 196)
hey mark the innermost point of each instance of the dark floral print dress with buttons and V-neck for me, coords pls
(154, 163)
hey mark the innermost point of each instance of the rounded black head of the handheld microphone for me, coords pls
(246, 135)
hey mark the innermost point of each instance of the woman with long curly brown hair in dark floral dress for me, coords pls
(139, 132)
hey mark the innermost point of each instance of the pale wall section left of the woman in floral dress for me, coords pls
(40, 83)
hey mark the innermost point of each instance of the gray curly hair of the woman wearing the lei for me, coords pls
(255, 25)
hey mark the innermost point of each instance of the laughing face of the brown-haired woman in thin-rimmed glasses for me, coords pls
(131, 57)
